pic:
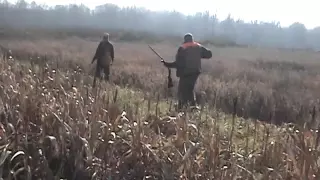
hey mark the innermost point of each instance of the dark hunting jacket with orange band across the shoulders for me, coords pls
(188, 59)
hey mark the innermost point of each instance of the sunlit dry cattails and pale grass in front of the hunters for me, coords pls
(54, 125)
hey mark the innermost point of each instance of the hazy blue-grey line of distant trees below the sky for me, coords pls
(203, 25)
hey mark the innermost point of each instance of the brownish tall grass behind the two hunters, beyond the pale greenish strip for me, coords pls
(273, 85)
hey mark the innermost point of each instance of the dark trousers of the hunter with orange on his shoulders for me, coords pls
(186, 90)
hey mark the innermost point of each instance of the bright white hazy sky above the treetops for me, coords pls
(285, 11)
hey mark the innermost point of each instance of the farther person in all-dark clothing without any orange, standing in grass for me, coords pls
(105, 57)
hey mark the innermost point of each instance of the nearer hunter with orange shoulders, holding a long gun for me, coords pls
(188, 66)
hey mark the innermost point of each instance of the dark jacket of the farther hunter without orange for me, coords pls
(104, 53)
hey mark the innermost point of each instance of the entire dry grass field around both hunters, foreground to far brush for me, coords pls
(55, 125)
